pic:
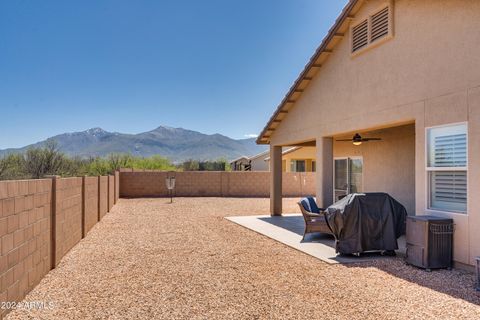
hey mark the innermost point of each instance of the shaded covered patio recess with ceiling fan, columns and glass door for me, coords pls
(384, 164)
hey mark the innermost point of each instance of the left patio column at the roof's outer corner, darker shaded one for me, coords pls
(275, 180)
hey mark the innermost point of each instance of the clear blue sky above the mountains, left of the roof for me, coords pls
(215, 66)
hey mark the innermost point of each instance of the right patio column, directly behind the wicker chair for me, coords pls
(324, 175)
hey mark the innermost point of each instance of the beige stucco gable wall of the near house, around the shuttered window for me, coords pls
(429, 73)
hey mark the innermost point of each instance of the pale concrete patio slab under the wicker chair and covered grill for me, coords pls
(288, 229)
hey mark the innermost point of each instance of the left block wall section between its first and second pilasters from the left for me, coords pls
(68, 215)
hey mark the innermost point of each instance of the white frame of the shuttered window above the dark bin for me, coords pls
(428, 170)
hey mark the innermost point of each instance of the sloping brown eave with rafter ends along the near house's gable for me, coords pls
(310, 70)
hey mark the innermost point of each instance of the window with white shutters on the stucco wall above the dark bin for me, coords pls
(447, 168)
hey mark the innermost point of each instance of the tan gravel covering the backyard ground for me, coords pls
(149, 259)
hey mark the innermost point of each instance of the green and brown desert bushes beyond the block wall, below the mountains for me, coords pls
(47, 160)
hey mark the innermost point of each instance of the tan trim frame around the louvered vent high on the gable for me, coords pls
(368, 18)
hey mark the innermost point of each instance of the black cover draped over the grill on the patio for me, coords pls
(366, 222)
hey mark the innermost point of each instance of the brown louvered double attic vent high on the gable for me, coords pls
(368, 31)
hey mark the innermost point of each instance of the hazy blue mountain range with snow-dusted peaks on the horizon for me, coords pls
(177, 144)
